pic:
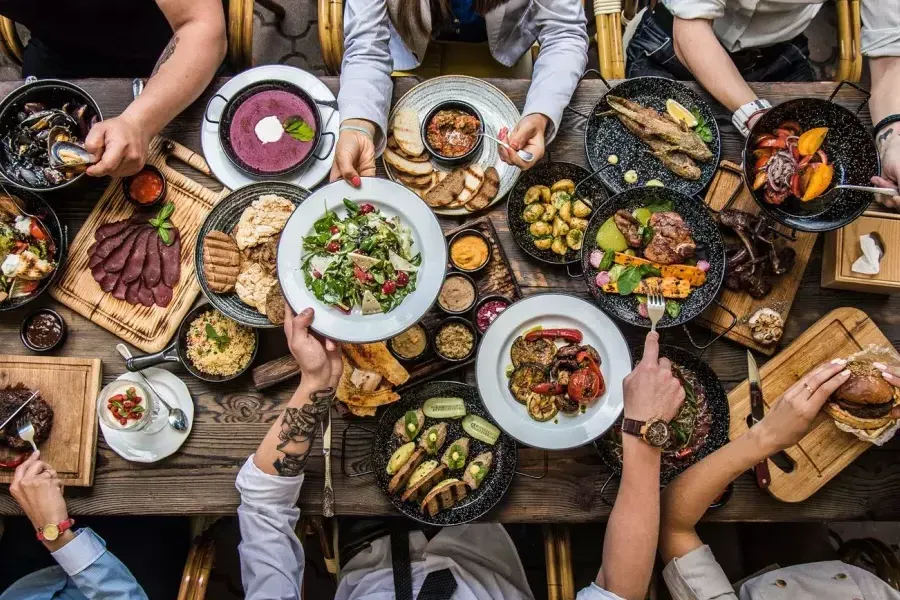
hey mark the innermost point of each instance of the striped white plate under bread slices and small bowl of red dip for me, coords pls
(496, 109)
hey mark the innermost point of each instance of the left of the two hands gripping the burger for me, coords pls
(791, 416)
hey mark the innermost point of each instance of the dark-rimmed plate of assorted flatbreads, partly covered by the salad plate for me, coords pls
(235, 257)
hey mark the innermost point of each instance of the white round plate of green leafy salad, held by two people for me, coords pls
(391, 199)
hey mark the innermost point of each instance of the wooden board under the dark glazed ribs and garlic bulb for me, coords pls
(729, 181)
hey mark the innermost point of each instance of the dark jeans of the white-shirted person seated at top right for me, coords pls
(651, 52)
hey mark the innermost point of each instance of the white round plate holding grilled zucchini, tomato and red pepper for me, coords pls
(552, 311)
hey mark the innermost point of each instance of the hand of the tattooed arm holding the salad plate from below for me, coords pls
(319, 362)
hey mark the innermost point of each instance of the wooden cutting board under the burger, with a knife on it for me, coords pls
(825, 450)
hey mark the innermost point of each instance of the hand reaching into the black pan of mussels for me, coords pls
(120, 144)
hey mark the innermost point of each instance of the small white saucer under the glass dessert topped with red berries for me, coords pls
(148, 448)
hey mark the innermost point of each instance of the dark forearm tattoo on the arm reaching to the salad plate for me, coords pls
(298, 430)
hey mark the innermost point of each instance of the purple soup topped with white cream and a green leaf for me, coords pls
(270, 156)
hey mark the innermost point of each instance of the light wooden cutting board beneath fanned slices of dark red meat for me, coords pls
(146, 328)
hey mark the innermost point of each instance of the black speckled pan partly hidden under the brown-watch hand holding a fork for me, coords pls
(716, 399)
